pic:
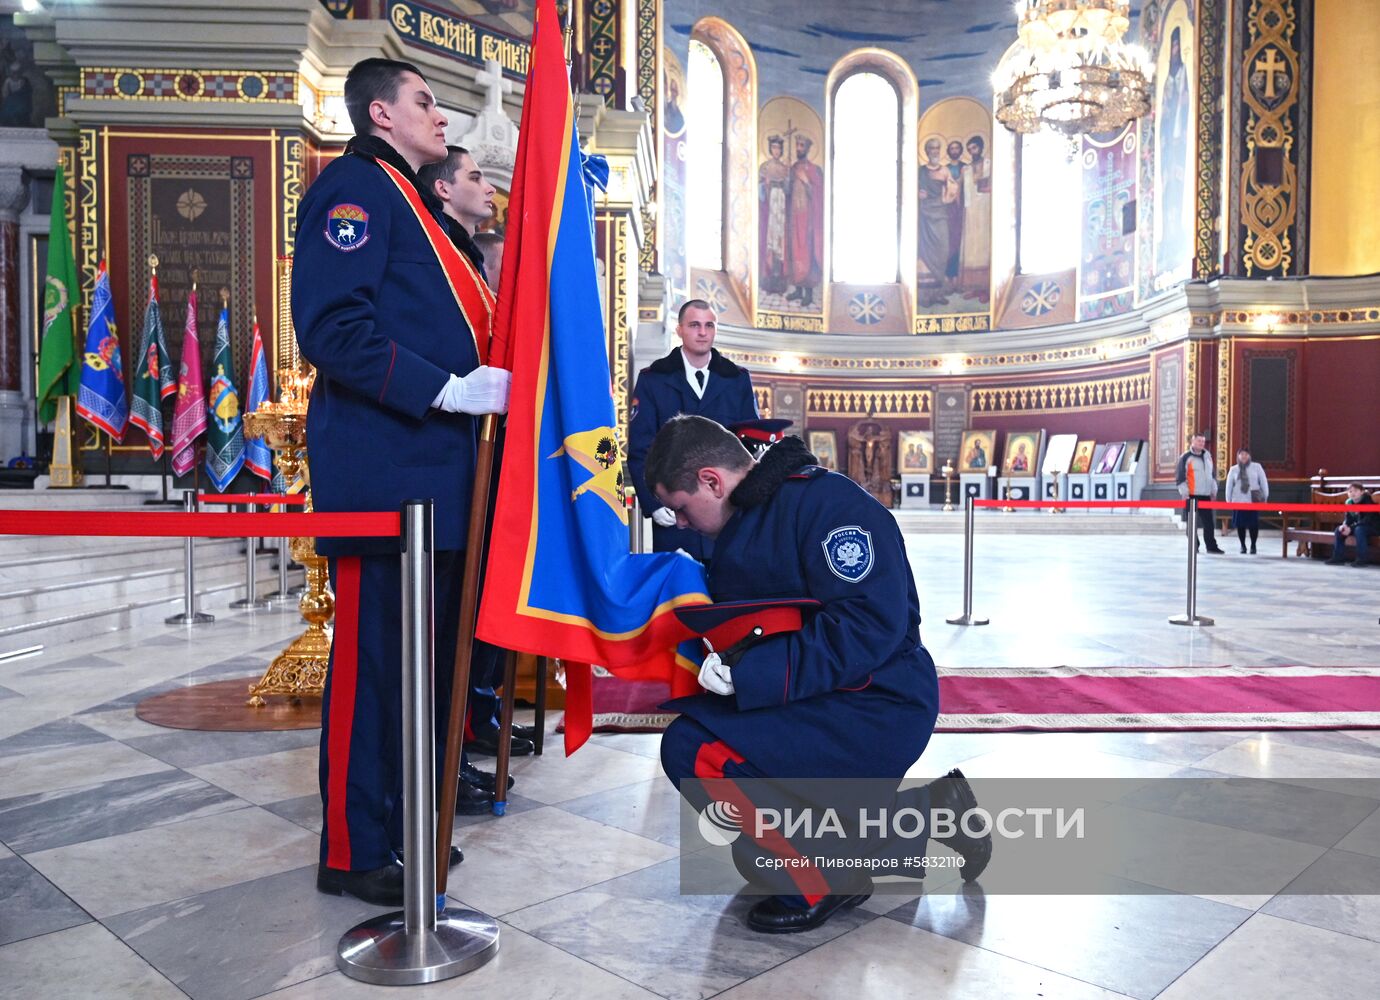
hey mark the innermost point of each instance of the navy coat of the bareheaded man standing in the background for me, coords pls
(660, 394)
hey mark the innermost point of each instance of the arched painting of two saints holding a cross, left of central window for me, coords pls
(790, 214)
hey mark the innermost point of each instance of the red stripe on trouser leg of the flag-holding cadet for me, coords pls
(344, 679)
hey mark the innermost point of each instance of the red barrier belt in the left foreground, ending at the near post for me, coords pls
(179, 525)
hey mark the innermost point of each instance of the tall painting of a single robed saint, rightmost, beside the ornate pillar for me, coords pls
(1174, 151)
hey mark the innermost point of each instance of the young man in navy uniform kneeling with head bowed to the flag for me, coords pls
(854, 693)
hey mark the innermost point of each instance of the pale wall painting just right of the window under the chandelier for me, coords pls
(1107, 267)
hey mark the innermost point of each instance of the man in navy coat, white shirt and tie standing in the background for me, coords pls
(695, 379)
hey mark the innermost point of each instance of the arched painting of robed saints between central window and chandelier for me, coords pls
(956, 212)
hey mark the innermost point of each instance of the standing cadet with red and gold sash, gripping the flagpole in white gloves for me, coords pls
(388, 312)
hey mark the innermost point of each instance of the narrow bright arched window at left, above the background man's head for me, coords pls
(704, 158)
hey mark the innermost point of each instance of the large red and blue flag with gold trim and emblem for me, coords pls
(561, 581)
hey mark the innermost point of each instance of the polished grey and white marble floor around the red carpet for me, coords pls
(147, 863)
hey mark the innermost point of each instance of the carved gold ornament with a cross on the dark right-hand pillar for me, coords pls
(1270, 93)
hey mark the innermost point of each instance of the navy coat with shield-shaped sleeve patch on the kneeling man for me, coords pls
(854, 694)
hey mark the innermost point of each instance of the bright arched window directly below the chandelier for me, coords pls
(1051, 203)
